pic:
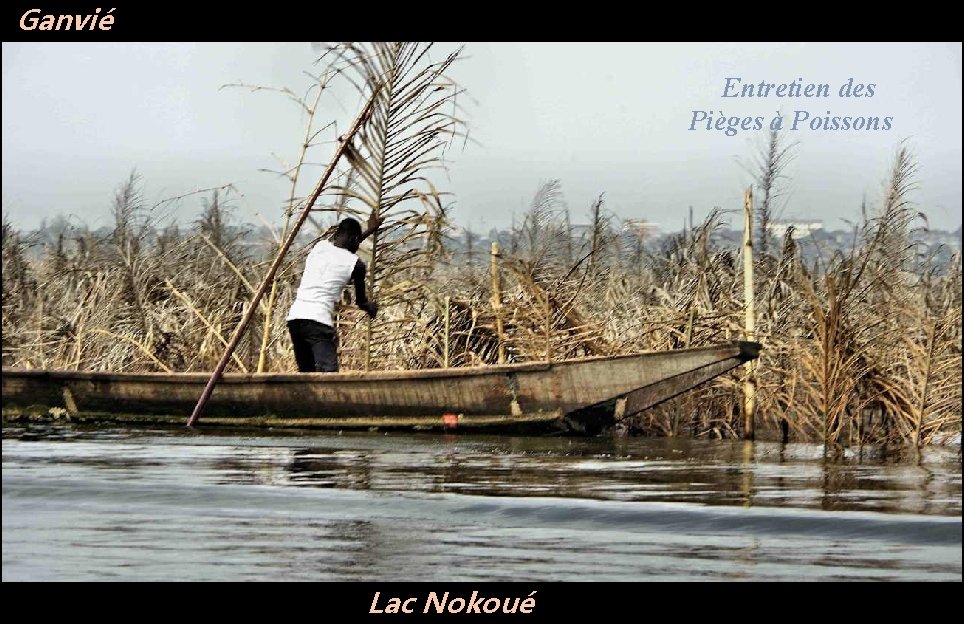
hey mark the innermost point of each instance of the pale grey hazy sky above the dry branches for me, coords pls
(601, 117)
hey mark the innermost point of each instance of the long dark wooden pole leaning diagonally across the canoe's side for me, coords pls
(344, 142)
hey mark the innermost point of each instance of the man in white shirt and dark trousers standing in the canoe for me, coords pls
(329, 267)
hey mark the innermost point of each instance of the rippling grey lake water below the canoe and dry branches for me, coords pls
(167, 504)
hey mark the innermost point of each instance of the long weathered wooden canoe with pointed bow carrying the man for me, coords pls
(568, 395)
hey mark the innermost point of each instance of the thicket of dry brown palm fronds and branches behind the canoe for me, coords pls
(860, 347)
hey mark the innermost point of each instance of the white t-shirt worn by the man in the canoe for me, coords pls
(327, 270)
